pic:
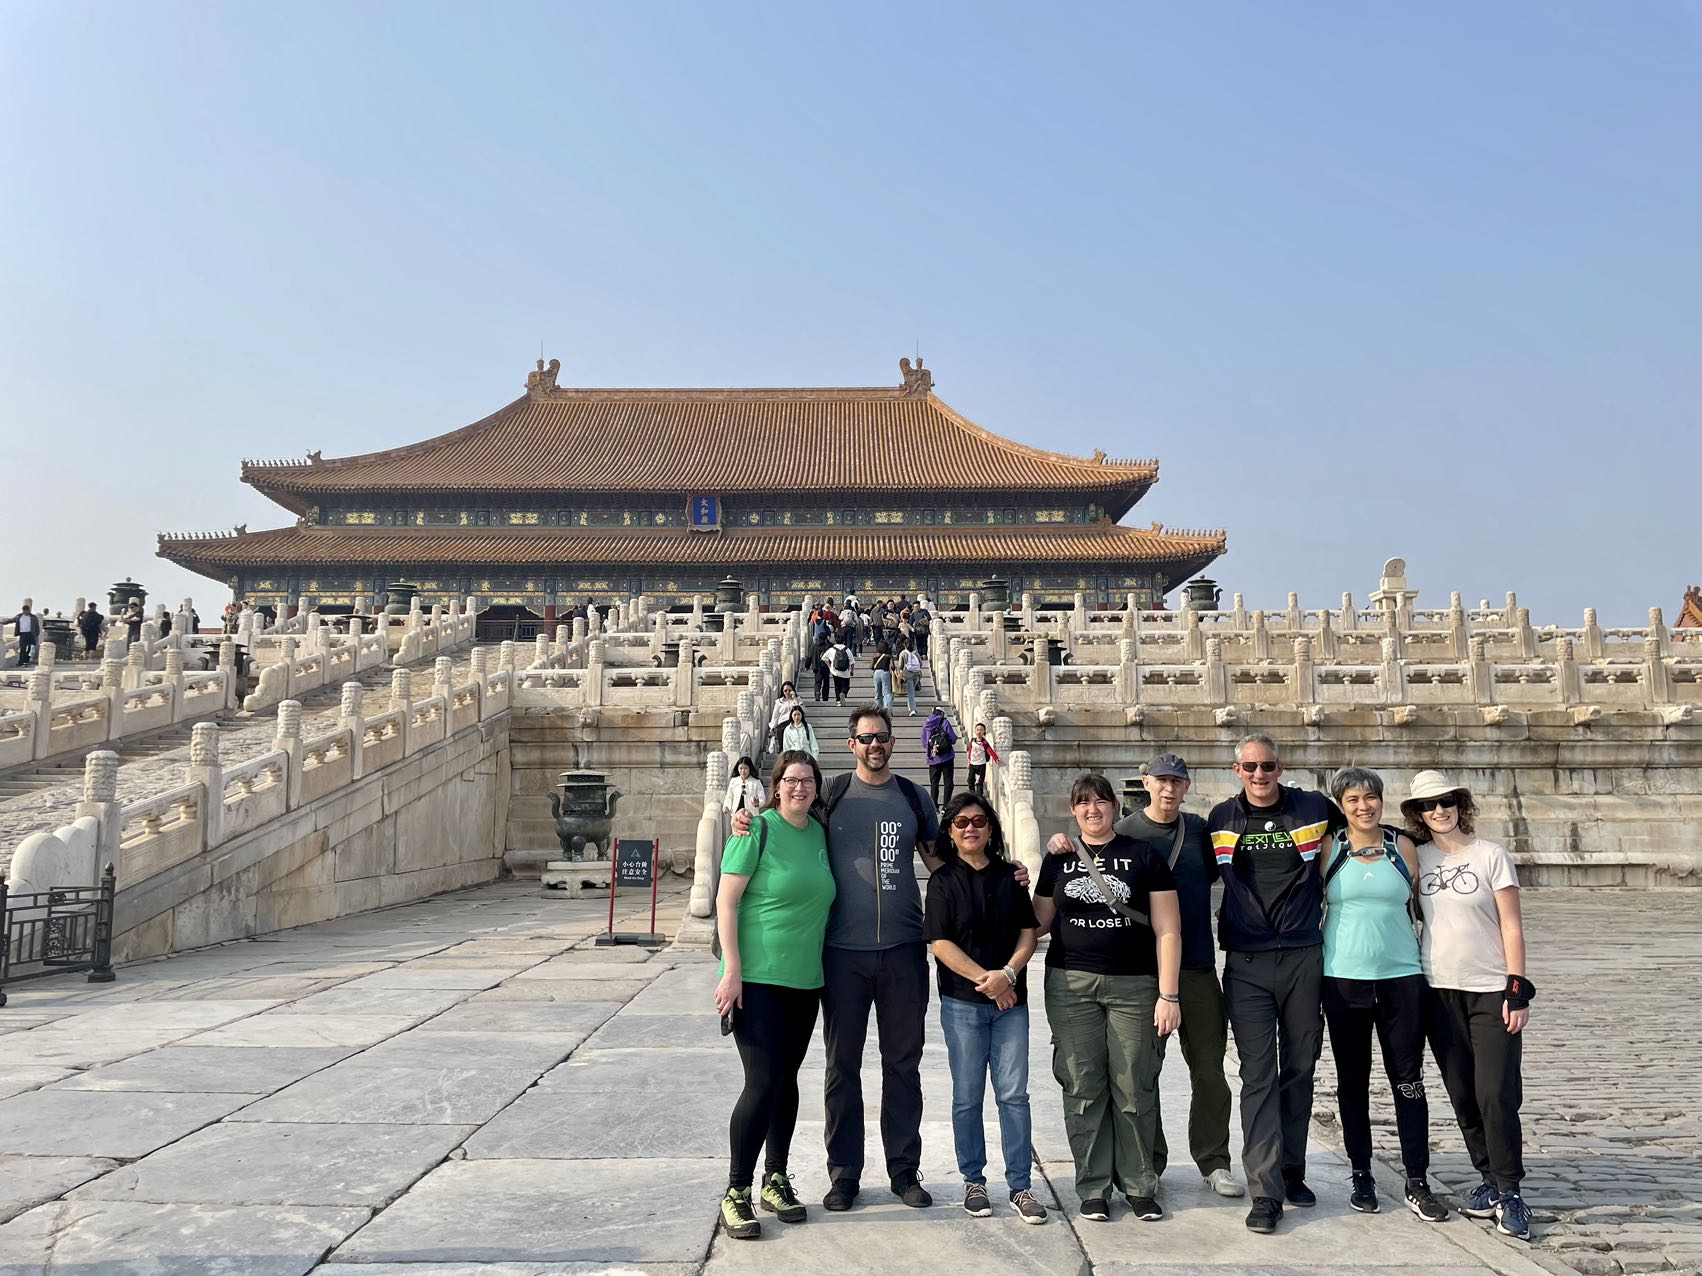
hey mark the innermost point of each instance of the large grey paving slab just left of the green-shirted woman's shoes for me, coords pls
(549, 1212)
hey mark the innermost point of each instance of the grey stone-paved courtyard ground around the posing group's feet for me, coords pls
(469, 1086)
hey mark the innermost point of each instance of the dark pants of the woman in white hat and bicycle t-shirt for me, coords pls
(1480, 1064)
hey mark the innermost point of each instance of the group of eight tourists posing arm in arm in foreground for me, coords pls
(1330, 920)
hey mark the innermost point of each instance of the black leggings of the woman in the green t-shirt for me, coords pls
(774, 1034)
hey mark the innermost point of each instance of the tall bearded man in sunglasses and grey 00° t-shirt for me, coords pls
(876, 960)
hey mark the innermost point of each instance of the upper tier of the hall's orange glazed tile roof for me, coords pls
(712, 441)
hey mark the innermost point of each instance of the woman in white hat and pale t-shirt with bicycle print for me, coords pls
(1478, 1001)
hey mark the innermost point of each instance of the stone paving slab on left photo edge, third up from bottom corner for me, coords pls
(103, 1124)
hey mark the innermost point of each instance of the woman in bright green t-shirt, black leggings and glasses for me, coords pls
(772, 921)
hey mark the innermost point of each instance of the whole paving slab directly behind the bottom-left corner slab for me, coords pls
(283, 1165)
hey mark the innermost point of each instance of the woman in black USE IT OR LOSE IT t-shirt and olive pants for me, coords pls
(1112, 1000)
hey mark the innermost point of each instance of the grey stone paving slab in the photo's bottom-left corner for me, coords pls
(135, 1239)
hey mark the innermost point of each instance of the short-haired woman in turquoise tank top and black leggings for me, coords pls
(1374, 983)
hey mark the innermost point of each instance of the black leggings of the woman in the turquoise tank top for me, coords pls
(1395, 1011)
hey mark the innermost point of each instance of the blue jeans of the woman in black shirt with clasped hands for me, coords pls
(983, 1039)
